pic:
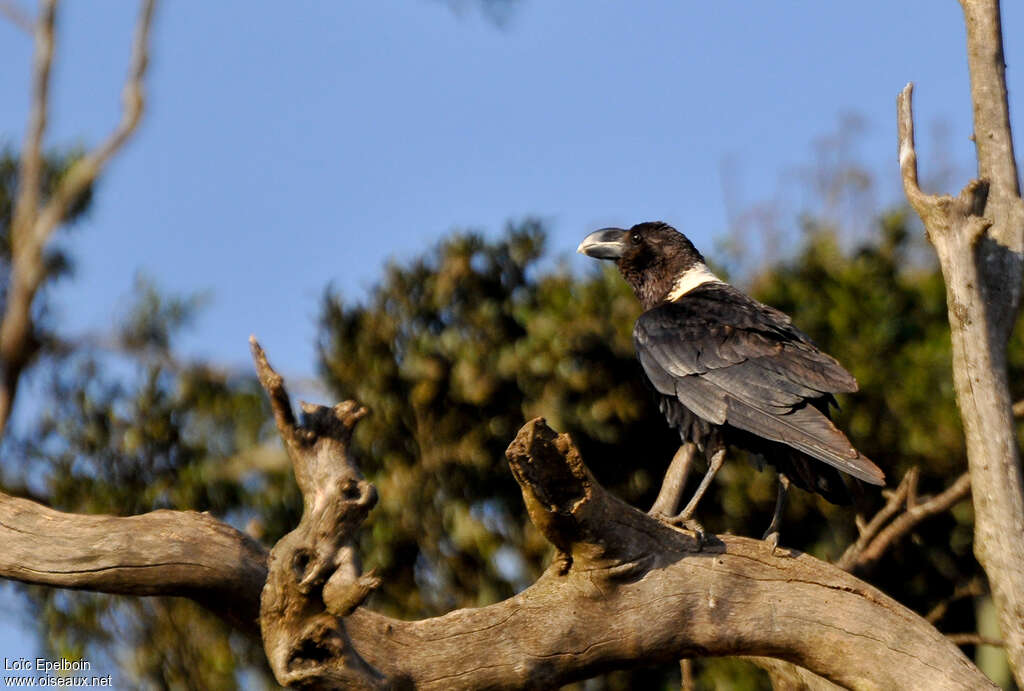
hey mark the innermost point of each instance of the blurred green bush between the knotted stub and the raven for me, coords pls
(452, 354)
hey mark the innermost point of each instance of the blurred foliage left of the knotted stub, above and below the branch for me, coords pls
(131, 431)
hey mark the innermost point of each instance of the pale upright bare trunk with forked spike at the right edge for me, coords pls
(979, 239)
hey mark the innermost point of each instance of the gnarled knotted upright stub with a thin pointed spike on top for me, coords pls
(315, 578)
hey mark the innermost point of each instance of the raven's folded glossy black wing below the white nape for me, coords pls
(734, 361)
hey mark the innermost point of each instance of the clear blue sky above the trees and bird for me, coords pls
(290, 146)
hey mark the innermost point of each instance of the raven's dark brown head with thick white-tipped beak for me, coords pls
(653, 257)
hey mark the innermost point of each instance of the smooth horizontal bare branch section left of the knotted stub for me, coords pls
(178, 553)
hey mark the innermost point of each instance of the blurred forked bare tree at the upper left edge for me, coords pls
(35, 221)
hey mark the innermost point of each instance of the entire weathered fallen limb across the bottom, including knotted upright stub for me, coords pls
(626, 590)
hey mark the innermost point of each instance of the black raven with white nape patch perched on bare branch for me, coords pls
(731, 370)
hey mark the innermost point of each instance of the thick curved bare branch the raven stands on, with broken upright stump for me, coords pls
(637, 592)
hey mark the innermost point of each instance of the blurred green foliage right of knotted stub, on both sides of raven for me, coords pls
(455, 351)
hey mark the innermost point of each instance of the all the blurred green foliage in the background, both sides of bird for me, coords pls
(453, 353)
